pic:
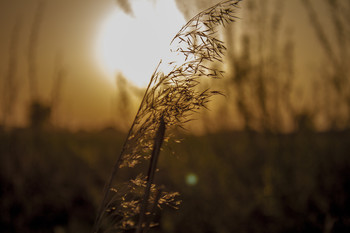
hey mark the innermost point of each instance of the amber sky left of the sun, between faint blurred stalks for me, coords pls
(68, 28)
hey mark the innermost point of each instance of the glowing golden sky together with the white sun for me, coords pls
(84, 34)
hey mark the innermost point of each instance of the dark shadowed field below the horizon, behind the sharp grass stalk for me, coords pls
(52, 181)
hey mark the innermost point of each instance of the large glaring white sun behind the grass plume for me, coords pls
(134, 44)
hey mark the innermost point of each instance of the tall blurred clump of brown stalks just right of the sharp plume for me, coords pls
(261, 71)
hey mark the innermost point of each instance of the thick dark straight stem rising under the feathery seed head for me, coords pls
(158, 140)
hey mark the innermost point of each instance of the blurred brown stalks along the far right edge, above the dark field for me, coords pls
(335, 42)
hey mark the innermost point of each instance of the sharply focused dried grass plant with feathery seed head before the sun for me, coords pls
(170, 99)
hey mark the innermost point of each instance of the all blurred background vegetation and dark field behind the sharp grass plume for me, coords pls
(273, 156)
